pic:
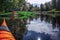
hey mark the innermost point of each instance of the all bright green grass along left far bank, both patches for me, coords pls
(22, 14)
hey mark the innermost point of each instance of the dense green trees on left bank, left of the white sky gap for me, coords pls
(11, 5)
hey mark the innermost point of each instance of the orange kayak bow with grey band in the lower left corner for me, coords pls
(5, 34)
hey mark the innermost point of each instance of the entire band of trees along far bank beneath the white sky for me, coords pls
(22, 5)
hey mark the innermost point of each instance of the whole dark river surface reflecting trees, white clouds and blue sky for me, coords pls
(40, 27)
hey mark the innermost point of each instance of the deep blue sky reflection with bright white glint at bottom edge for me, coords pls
(32, 35)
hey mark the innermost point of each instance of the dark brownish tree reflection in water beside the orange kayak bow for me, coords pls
(17, 27)
